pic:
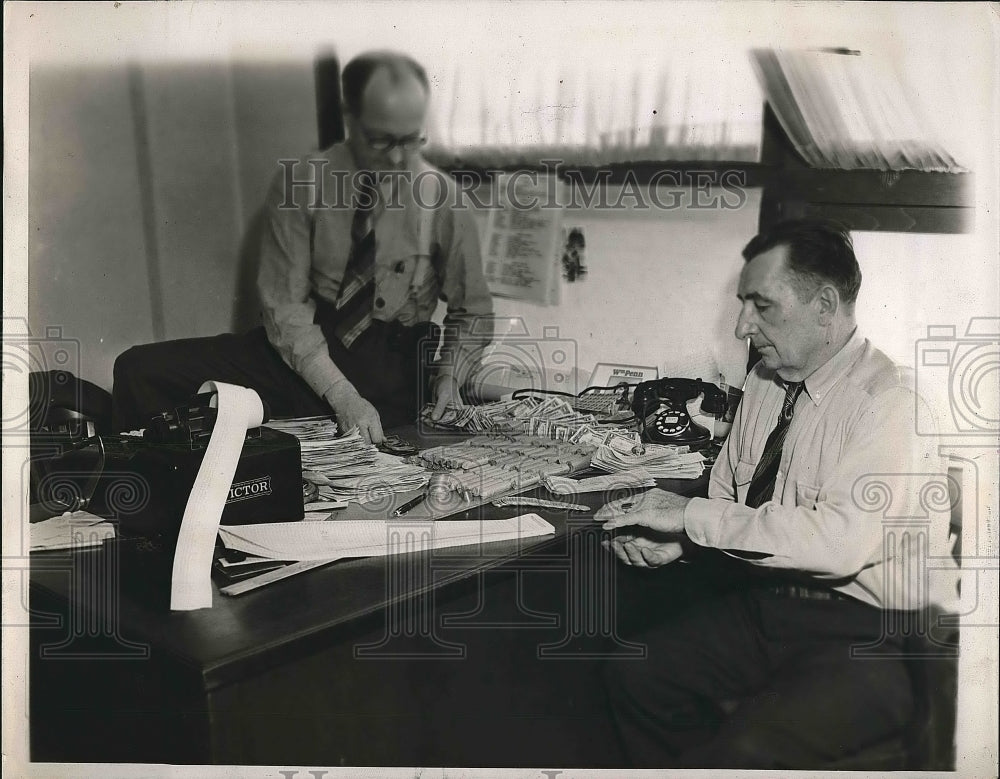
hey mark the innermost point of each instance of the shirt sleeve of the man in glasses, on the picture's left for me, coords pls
(284, 287)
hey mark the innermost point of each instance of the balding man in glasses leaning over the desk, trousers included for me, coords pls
(352, 266)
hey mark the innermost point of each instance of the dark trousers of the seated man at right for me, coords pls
(801, 699)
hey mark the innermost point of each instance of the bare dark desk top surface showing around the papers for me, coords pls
(261, 628)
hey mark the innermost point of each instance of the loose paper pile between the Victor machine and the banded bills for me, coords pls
(348, 468)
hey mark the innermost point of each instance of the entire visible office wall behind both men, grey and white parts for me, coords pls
(146, 183)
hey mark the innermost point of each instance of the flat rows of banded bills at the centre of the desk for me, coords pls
(485, 467)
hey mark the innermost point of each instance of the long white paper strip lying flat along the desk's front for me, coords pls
(373, 538)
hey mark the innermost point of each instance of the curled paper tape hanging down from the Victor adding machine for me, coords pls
(239, 409)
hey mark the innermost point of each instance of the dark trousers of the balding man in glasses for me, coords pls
(388, 364)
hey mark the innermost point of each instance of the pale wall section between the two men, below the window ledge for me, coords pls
(660, 287)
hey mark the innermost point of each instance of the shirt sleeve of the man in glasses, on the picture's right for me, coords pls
(468, 321)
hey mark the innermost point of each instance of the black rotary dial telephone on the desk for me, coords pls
(661, 409)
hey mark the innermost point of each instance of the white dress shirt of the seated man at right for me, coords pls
(860, 503)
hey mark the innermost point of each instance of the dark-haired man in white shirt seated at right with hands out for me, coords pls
(825, 419)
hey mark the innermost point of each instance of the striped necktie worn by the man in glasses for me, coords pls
(357, 290)
